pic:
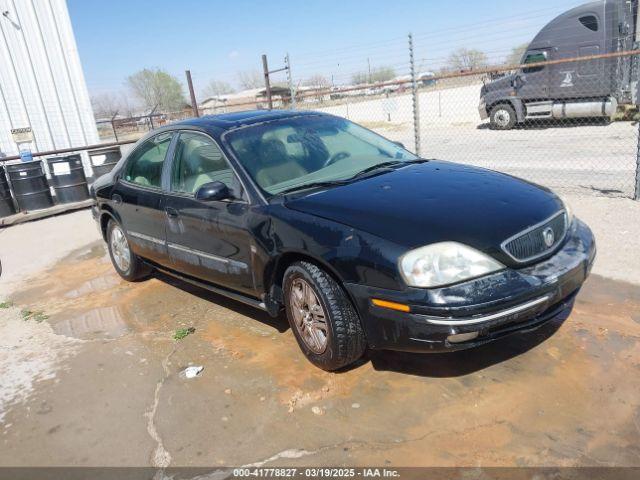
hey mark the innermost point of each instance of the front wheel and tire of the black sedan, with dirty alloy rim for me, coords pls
(344, 337)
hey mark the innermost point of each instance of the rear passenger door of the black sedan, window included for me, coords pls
(139, 199)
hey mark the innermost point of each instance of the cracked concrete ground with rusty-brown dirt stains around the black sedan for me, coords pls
(91, 376)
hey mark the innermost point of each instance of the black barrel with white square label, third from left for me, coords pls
(68, 179)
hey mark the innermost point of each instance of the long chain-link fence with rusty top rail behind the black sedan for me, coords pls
(584, 142)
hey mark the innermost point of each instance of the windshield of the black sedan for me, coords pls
(293, 152)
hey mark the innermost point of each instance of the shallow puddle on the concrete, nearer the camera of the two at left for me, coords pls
(99, 323)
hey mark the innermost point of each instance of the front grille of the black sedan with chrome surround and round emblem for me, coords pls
(530, 244)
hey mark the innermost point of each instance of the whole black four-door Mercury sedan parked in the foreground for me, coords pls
(363, 244)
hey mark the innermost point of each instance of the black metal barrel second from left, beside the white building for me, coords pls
(30, 186)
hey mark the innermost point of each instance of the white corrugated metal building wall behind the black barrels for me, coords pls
(42, 85)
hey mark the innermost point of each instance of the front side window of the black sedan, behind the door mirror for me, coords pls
(198, 160)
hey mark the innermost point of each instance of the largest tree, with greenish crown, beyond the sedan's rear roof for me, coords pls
(157, 88)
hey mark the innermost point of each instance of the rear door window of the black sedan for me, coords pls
(144, 167)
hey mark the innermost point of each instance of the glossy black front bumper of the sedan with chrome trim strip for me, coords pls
(493, 306)
